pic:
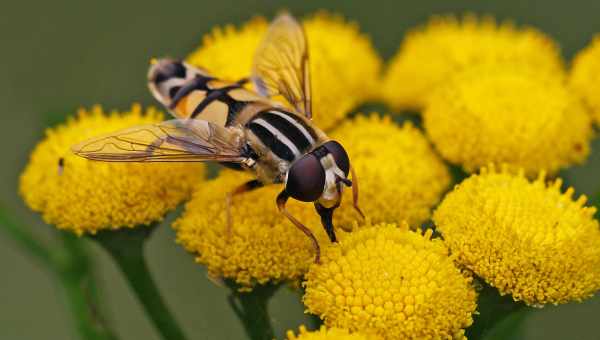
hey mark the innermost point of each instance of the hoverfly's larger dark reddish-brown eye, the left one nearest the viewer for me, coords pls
(306, 179)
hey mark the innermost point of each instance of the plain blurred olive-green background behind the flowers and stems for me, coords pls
(59, 55)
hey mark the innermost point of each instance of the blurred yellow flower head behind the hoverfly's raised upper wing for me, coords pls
(344, 65)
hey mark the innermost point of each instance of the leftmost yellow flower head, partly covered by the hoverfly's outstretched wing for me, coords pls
(85, 196)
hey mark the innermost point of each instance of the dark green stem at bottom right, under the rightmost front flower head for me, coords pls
(493, 308)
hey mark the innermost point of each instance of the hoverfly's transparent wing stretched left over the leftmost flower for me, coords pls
(177, 140)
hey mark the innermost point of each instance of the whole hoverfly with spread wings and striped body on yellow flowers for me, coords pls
(227, 123)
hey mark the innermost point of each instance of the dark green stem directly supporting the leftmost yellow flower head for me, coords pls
(126, 246)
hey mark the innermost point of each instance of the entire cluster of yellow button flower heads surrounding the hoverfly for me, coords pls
(491, 95)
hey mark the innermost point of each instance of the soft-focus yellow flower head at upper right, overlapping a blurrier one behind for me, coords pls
(508, 114)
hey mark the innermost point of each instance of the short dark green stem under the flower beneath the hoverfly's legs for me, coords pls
(252, 309)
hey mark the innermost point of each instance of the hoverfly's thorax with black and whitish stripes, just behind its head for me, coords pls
(281, 134)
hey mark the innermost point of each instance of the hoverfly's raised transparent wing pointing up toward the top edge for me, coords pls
(281, 64)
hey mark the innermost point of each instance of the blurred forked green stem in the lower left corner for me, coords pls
(72, 268)
